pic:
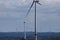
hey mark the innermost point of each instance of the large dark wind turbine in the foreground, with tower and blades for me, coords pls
(34, 2)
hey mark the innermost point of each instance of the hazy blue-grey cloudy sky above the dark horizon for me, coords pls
(12, 13)
